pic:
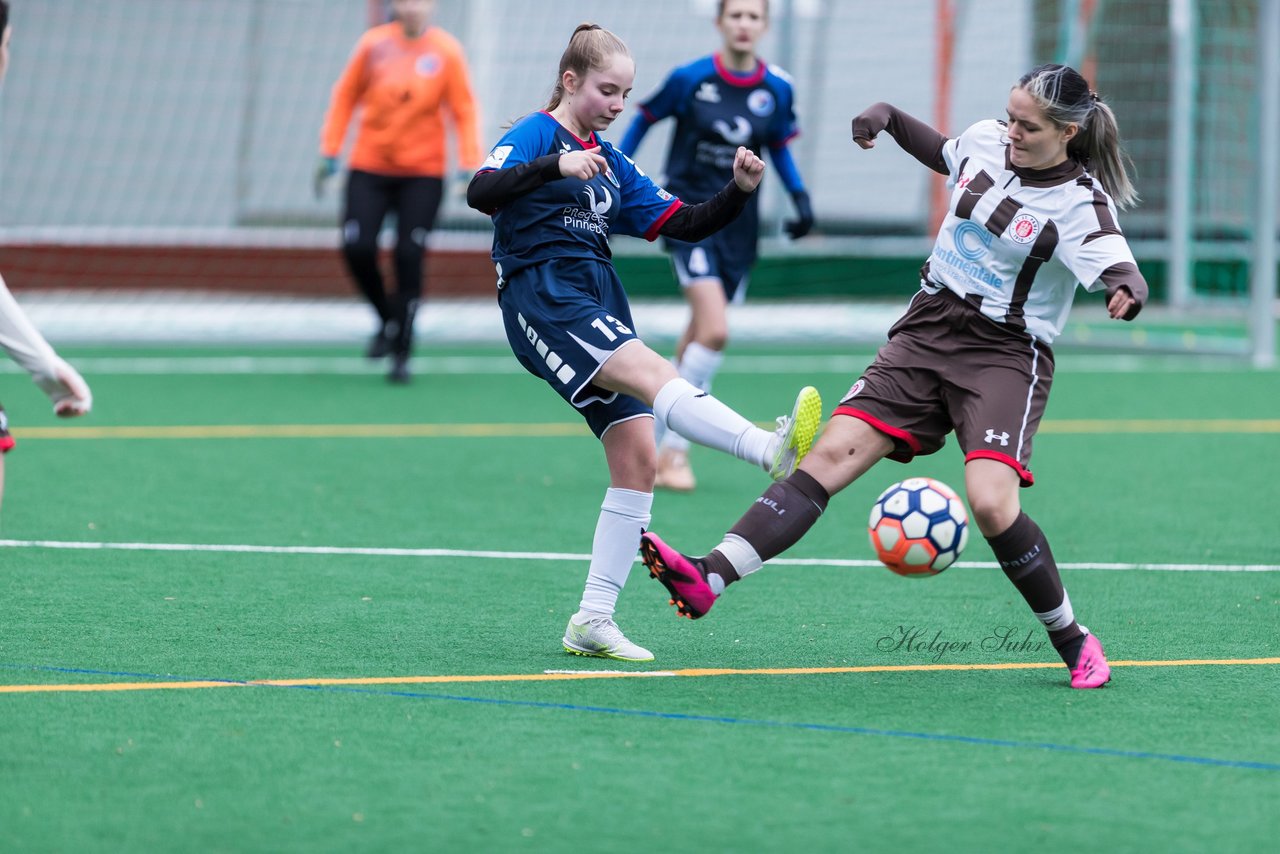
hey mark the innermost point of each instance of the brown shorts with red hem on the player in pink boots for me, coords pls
(949, 368)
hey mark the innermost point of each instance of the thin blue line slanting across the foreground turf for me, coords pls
(701, 719)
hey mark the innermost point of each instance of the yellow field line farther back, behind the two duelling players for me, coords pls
(570, 430)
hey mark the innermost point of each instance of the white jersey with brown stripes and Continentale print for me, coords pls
(1017, 243)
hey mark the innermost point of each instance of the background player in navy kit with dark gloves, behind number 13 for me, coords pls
(720, 103)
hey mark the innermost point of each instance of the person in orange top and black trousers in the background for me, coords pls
(404, 76)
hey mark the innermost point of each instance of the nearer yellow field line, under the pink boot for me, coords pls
(583, 675)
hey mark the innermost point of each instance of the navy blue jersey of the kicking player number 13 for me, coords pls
(570, 217)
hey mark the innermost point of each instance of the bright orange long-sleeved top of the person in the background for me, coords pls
(403, 88)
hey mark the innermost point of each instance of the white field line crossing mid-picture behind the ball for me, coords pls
(565, 556)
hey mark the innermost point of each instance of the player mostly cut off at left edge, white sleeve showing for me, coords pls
(60, 381)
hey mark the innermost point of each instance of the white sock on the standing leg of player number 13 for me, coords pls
(624, 515)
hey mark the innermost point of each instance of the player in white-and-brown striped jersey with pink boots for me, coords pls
(1032, 216)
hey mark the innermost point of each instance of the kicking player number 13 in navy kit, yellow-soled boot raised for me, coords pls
(556, 193)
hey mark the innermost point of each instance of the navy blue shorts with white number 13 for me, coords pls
(564, 321)
